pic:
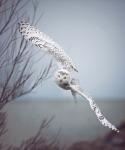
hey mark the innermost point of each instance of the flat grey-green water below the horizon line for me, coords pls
(75, 121)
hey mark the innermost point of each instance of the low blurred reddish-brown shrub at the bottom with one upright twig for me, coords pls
(39, 142)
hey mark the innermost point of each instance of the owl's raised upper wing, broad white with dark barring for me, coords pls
(43, 41)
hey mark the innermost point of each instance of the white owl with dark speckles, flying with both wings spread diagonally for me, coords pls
(63, 76)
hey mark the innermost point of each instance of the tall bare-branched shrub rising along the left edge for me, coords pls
(15, 54)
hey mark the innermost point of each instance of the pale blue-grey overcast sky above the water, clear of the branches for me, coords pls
(92, 32)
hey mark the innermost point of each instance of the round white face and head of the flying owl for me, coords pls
(63, 78)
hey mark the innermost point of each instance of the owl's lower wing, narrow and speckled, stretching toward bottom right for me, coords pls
(95, 108)
